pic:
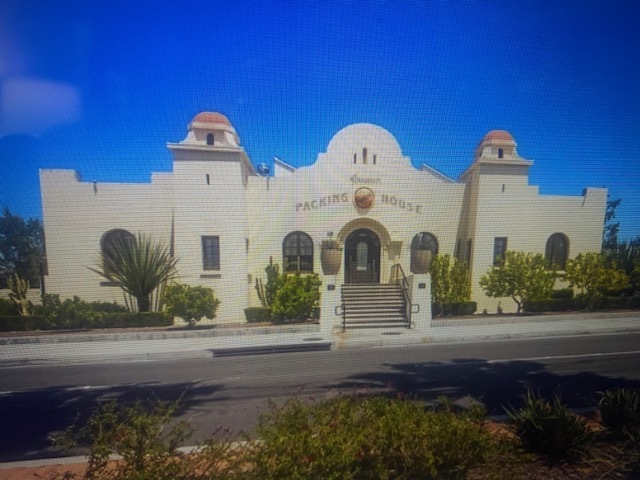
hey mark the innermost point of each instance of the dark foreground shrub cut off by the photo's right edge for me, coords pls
(620, 412)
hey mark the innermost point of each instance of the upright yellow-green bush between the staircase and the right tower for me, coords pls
(451, 281)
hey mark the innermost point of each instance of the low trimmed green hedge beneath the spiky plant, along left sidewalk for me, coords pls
(14, 323)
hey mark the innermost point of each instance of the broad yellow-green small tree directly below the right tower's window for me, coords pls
(522, 276)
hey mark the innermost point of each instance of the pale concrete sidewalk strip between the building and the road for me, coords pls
(99, 347)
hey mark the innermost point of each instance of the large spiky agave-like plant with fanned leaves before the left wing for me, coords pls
(139, 265)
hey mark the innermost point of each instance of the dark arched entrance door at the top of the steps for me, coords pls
(362, 257)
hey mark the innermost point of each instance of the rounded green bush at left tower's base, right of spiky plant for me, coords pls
(190, 303)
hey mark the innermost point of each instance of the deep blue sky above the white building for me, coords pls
(101, 86)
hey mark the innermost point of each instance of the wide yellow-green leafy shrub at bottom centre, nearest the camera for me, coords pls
(375, 438)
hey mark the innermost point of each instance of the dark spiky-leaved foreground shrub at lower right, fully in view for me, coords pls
(550, 428)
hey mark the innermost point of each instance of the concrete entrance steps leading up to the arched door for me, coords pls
(374, 306)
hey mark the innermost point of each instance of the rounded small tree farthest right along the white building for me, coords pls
(589, 272)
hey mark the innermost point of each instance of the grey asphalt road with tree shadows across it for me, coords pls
(37, 401)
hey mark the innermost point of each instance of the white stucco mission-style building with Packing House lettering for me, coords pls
(224, 220)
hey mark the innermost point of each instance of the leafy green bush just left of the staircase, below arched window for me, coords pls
(297, 298)
